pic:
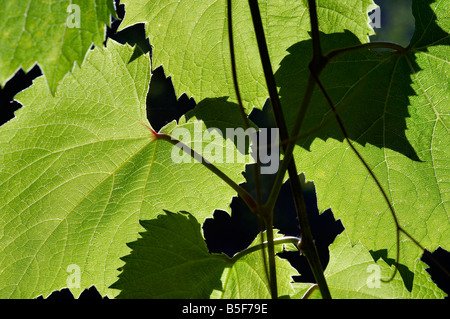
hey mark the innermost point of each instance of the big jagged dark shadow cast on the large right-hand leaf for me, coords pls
(370, 90)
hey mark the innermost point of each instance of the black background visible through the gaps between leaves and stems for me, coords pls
(225, 233)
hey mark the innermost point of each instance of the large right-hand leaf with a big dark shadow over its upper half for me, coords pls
(395, 108)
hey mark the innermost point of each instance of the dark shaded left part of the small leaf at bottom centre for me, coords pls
(170, 260)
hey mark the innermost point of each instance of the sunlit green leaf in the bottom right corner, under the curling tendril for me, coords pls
(352, 274)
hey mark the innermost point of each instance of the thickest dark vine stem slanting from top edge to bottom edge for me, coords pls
(307, 246)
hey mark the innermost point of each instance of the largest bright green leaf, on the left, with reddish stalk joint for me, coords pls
(80, 168)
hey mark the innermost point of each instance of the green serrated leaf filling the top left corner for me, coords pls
(54, 34)
